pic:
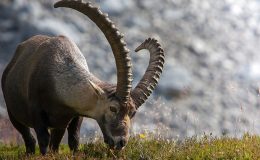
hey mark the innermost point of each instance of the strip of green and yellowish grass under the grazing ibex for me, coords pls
(149, 147)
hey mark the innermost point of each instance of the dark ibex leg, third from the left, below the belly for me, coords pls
(56, 136)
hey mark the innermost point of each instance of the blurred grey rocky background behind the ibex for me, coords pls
(211, 79)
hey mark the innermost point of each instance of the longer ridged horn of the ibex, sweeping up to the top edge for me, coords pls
(115, 39)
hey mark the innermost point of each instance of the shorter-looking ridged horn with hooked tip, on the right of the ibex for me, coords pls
(153, 72)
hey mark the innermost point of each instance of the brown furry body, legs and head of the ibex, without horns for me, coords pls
(40, 66)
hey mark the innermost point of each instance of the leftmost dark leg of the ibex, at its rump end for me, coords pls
(26, 134)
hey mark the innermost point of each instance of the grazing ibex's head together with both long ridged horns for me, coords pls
(116, 105)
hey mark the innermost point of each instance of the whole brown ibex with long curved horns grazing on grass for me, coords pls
(47, 86)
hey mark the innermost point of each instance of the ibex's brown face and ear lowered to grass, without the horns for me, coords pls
(114, 117)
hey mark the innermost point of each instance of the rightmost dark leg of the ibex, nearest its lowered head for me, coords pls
(74, 133)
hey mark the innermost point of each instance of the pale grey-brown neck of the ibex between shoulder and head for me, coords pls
(75, 91)
